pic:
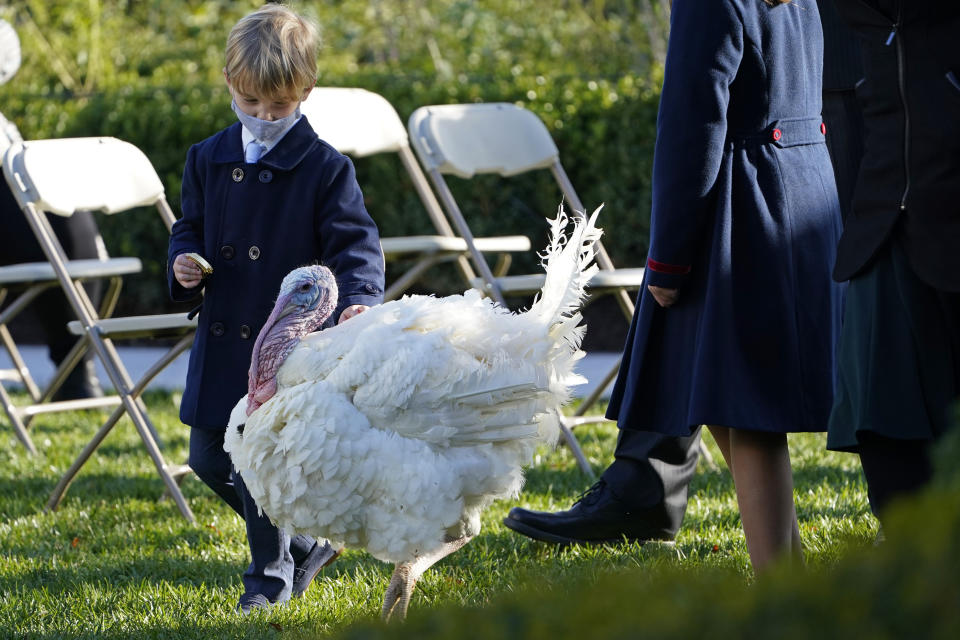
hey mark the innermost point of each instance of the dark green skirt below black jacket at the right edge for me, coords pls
(898, 361)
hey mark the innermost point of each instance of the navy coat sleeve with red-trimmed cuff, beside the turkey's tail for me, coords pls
(704, 53)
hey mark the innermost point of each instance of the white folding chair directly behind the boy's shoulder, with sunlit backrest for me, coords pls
(361, 123)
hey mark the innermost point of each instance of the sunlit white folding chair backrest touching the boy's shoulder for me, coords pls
(356, 122)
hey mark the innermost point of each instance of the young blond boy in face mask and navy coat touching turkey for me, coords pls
(260, 198)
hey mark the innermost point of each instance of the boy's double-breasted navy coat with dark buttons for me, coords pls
(300, 204)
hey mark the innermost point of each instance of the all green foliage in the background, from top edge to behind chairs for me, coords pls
(149, 72)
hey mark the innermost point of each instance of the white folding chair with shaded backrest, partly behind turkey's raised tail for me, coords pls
(500, 138)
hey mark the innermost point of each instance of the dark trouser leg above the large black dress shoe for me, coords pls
(653, 470)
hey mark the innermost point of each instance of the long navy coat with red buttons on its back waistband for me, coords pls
(745, 221)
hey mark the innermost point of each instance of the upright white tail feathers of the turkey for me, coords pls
(568, 262)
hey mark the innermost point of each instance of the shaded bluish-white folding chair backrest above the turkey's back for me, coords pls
(466, 139)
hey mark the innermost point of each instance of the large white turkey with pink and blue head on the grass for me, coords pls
(394, 430)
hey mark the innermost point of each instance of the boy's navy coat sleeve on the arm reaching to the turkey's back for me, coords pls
(349, 241)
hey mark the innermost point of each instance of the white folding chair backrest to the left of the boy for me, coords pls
(62, 176)
